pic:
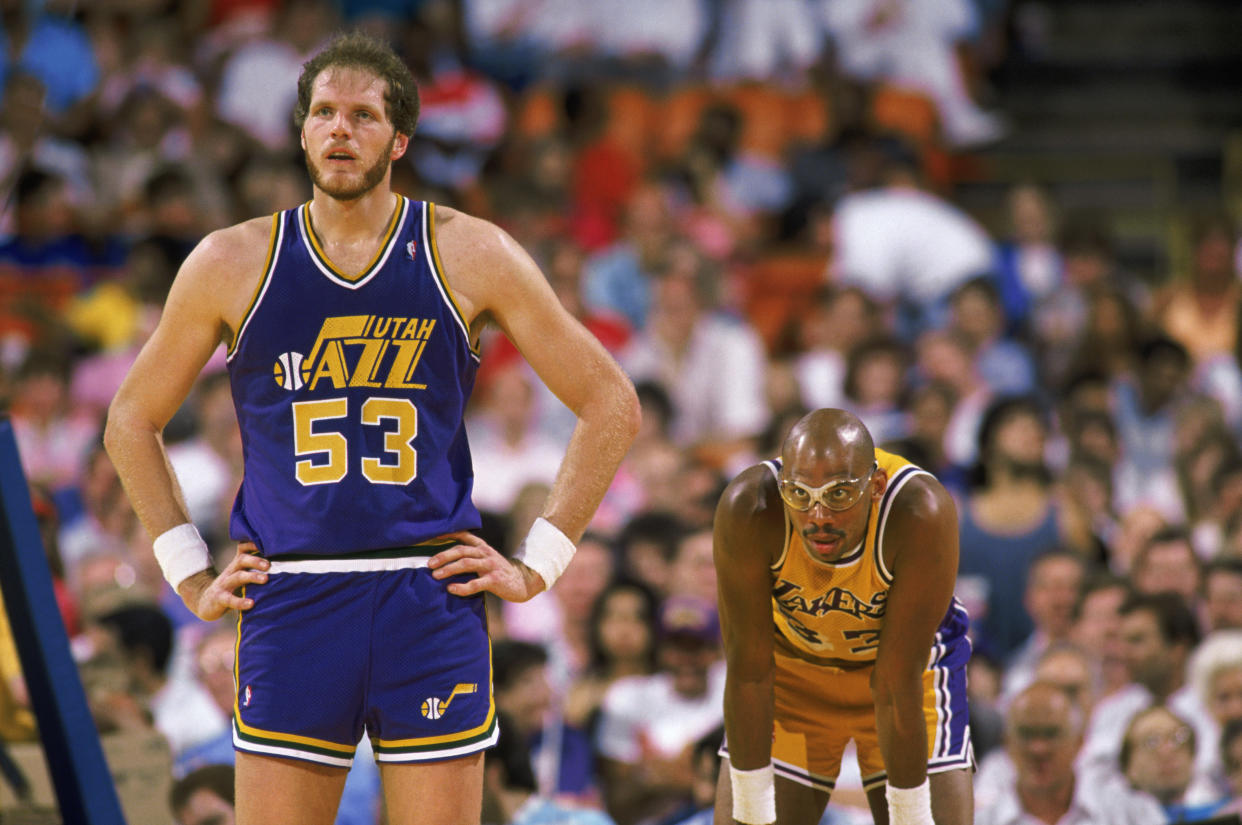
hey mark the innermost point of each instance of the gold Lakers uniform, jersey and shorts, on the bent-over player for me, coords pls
(834, 613)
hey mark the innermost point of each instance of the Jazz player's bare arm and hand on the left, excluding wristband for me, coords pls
(206, 294)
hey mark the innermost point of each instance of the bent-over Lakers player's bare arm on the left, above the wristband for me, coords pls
(750, 524)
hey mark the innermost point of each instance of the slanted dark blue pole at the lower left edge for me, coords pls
(75, 759)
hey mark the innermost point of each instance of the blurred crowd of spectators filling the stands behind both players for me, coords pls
(751, 204)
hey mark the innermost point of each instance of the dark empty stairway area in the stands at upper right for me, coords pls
(1131, 107)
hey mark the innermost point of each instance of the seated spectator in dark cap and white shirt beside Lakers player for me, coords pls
(649, 725)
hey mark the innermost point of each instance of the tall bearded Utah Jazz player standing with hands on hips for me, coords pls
(352, 326)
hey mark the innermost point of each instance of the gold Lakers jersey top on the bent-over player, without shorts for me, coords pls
(835, 609)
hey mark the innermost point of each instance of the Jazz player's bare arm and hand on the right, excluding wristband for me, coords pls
(495, 279)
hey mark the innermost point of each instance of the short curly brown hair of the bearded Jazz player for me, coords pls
(358, 50)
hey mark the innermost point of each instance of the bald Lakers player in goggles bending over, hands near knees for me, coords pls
(836, 566)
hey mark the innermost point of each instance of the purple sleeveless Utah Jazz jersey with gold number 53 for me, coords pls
(358, 443)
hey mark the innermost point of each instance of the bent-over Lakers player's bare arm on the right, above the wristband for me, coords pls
(923, 529)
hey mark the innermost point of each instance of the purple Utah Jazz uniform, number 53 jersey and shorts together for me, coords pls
(351, 392)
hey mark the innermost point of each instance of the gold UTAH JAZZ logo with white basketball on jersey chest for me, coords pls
(360, 351)
